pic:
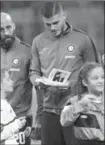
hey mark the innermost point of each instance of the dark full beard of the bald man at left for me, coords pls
(7, 42)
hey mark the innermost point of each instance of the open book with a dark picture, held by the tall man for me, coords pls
(56, 77)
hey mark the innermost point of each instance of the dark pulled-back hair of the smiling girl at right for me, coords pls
(83, 75)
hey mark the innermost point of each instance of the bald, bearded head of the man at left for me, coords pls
(7, 31)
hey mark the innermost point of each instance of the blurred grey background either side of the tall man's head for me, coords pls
(86, 15)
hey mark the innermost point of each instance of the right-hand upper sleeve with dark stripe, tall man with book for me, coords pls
(90, 52)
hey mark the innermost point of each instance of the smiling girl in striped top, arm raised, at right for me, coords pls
(86, 110)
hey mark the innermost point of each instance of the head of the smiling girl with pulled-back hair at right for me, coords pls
(91, 79)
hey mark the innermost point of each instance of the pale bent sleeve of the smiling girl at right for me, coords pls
(70, 113)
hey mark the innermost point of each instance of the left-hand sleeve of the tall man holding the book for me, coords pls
(35, 68)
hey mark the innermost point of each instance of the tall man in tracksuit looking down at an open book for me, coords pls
(62, 47)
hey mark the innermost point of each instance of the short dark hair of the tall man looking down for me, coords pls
(51, 8)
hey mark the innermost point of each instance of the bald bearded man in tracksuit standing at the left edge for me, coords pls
(15, 60)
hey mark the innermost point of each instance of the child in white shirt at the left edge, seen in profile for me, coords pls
(9, 124)
